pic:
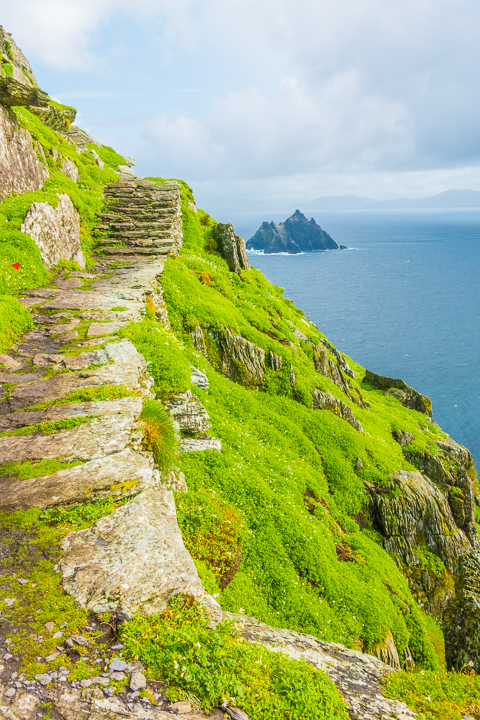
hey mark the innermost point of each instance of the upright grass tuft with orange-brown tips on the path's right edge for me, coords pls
(160, 436)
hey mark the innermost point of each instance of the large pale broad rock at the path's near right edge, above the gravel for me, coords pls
(101, 569)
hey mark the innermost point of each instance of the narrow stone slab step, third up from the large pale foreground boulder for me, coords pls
(106, 408)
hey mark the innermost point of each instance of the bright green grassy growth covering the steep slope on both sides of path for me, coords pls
(274, 447)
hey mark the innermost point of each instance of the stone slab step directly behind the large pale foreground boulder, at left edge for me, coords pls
(122, 475)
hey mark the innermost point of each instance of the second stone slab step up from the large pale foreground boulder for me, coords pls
(95, 439)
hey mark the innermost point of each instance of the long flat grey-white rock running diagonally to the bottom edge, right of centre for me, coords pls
(356, 675)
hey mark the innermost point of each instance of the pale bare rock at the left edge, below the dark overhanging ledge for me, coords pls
(20, 169)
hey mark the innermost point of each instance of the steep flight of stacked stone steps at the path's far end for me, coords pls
(143, 218)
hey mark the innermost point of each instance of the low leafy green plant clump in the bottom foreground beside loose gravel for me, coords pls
(218, 668)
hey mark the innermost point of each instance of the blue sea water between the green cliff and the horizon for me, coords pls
(403, 302)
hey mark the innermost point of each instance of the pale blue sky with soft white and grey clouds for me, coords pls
(262, 105)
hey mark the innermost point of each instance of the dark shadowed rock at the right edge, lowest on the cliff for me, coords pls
(461, 625)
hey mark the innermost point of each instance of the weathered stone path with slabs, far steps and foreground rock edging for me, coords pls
(73, 365)
